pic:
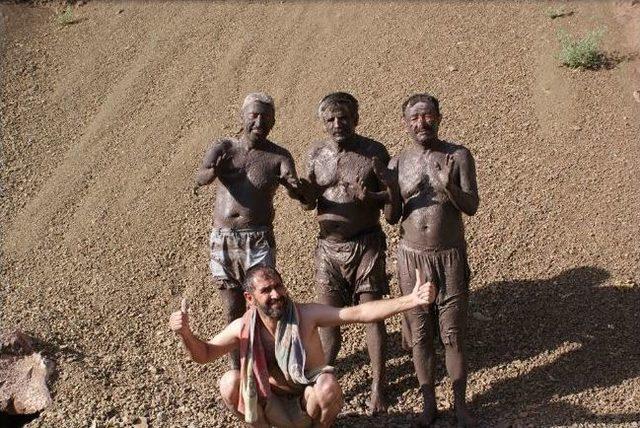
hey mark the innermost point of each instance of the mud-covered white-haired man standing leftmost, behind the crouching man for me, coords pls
(249, 170)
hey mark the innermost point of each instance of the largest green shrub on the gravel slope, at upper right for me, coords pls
(581, 53)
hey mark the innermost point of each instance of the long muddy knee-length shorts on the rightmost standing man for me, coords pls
(449, 270)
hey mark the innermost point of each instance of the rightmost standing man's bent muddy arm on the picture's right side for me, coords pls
(465, 194)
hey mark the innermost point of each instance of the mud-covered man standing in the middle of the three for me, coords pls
(351, 184)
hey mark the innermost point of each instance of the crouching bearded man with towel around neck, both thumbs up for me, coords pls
(283, 379)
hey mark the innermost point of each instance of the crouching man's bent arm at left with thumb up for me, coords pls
(203, 352)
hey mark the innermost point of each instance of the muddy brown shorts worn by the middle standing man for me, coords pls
(347, 269)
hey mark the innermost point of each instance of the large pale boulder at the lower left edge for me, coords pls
(24, 374)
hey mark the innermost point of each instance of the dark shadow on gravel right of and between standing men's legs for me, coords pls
(549, 338)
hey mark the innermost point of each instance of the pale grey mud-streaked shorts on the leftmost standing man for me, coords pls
(234, 251)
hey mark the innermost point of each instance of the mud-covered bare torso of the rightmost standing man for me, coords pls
(429, 219)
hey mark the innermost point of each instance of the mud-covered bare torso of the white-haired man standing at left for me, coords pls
(248, 182)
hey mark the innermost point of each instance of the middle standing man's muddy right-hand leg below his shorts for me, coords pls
(377, 347)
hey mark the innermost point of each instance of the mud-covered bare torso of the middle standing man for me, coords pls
(341, 215)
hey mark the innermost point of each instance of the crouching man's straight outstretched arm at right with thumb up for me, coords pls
(329, 316)
